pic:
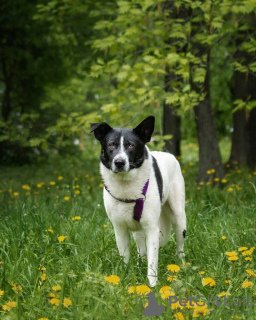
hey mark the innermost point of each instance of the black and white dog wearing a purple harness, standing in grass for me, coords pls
(144, 191)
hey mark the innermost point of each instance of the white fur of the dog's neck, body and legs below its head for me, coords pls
(154, 227)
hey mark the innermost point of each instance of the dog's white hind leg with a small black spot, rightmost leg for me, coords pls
(176, 199)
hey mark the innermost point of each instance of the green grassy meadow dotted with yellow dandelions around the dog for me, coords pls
(57, 247)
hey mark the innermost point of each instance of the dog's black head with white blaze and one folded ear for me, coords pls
(123, 149)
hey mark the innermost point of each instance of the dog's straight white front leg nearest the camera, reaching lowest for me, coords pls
(152, 252)
